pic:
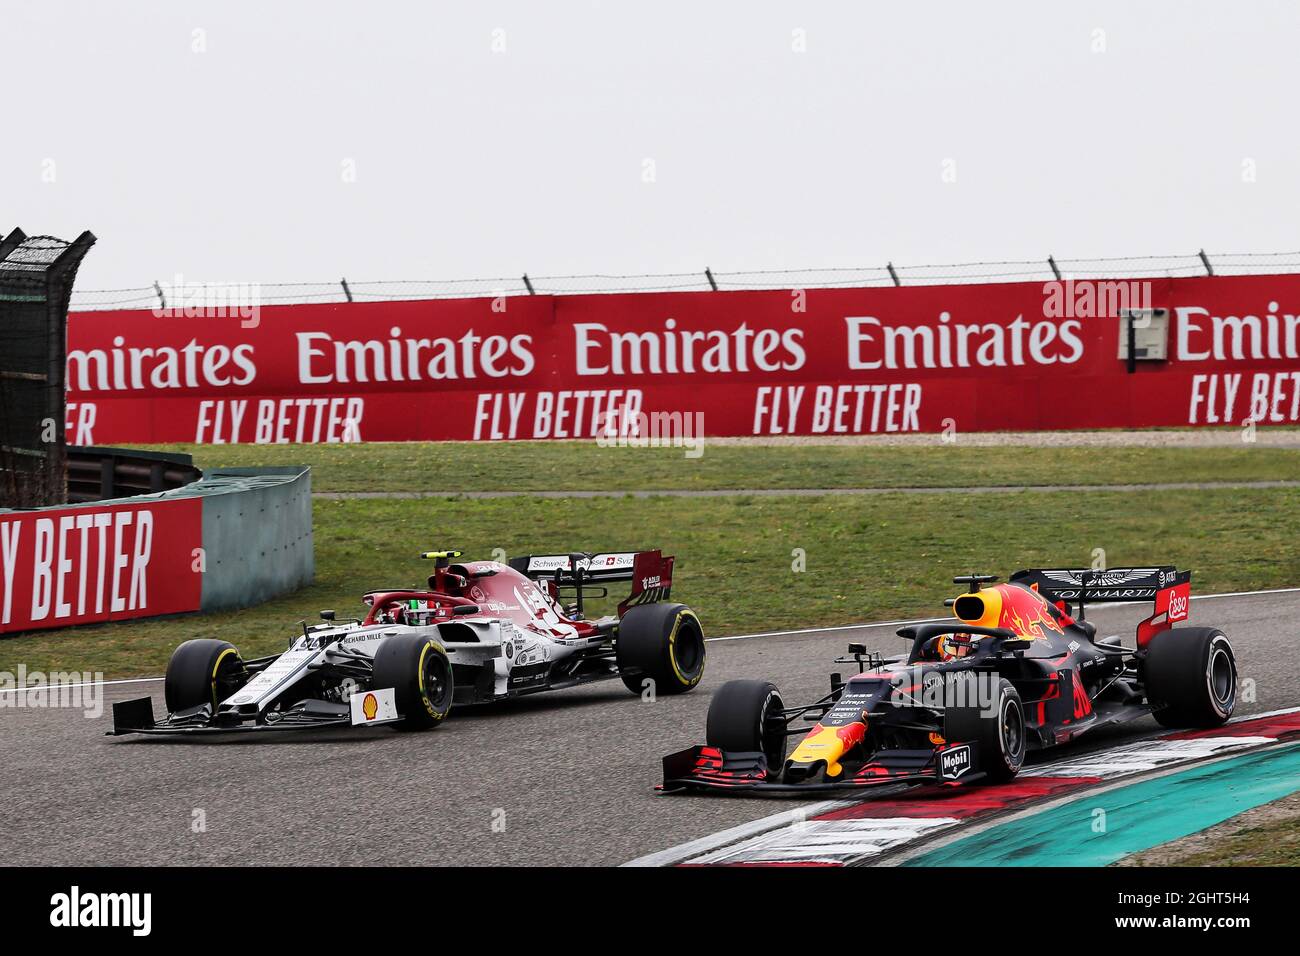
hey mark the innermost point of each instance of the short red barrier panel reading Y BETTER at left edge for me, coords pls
(99, 563)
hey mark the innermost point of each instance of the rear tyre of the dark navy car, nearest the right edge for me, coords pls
(1191, 677)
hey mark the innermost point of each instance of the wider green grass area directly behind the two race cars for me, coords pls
(877, 557)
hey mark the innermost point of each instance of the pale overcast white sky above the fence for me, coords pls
(228, 165)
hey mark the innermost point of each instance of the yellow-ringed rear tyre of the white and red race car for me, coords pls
(662, 643)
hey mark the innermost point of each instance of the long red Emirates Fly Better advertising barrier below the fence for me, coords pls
(788, 362)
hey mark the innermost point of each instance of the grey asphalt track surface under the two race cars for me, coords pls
(557, 780)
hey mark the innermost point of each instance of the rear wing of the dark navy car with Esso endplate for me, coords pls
(1169, 589)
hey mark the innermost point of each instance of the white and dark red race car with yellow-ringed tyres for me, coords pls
(480, 631)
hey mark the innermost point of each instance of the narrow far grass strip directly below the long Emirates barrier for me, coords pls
(456, 468)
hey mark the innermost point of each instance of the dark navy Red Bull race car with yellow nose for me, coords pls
(1013, 672)
